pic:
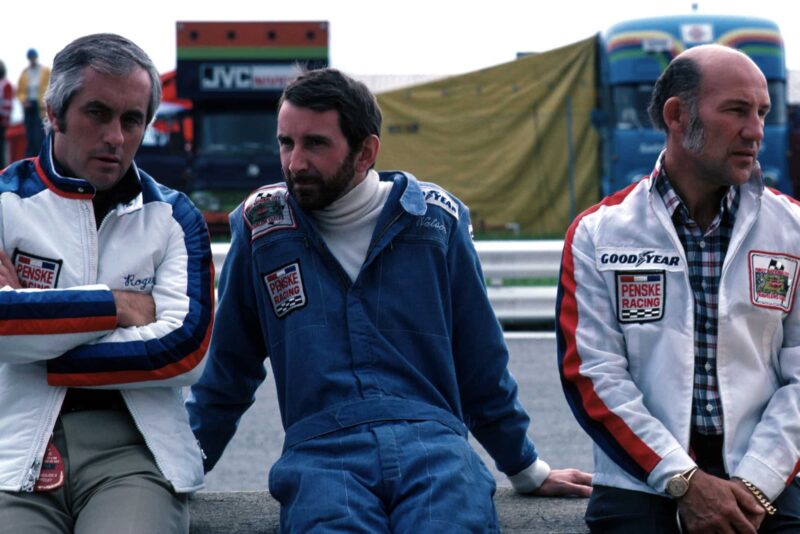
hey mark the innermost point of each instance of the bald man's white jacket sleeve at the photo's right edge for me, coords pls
(772, 460)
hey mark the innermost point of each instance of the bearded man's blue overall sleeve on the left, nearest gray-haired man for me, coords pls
(235, 366)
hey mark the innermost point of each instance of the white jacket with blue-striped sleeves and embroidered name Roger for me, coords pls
(61, 331)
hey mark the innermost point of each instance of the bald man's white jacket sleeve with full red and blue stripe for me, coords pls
(594, 372)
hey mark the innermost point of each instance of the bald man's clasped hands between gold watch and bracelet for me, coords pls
(716, 505)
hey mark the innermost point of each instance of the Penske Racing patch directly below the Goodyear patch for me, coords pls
(640, 296)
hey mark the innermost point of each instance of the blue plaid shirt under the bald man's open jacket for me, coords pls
(705, 253)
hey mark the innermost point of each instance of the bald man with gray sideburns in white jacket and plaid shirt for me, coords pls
(679, 341)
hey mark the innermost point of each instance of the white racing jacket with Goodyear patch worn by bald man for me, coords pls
(625, 317)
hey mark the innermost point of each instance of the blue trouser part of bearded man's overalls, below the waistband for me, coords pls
(398, 477)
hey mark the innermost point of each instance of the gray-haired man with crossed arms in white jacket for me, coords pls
(107, 297)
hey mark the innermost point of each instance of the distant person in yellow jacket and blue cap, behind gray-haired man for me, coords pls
(30, 92)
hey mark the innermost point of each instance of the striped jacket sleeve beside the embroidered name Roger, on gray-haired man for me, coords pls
(168, 352)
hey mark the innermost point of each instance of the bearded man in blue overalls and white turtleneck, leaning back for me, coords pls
(365, 291)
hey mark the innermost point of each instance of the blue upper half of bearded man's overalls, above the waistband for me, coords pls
(413, 338)
